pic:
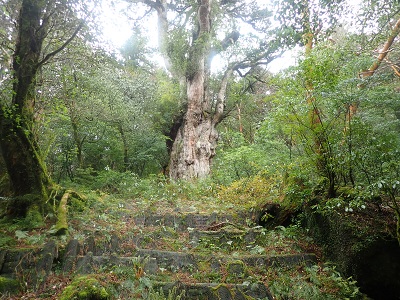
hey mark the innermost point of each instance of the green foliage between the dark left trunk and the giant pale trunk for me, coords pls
(100, 117)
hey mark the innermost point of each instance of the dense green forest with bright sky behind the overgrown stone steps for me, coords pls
(290, 100)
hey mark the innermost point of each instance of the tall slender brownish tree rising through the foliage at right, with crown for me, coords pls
(304, 23)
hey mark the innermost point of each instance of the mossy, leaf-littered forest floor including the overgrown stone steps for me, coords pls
(171, 248)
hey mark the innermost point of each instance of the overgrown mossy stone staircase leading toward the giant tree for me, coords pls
(198, 256)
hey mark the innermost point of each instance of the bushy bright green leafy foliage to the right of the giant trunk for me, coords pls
(343, 149)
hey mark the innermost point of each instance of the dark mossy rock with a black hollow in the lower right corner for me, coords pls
(360, 244)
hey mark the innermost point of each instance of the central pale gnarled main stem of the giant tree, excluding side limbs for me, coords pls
(195, 143)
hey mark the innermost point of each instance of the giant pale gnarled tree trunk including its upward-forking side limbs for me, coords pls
(194, 135)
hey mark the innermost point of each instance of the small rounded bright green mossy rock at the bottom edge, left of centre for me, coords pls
(85, 288)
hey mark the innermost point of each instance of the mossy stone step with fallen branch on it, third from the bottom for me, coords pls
(230, 237)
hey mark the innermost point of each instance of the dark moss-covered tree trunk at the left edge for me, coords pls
(21, 153)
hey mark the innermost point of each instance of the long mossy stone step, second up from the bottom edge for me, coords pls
(154, 260)
